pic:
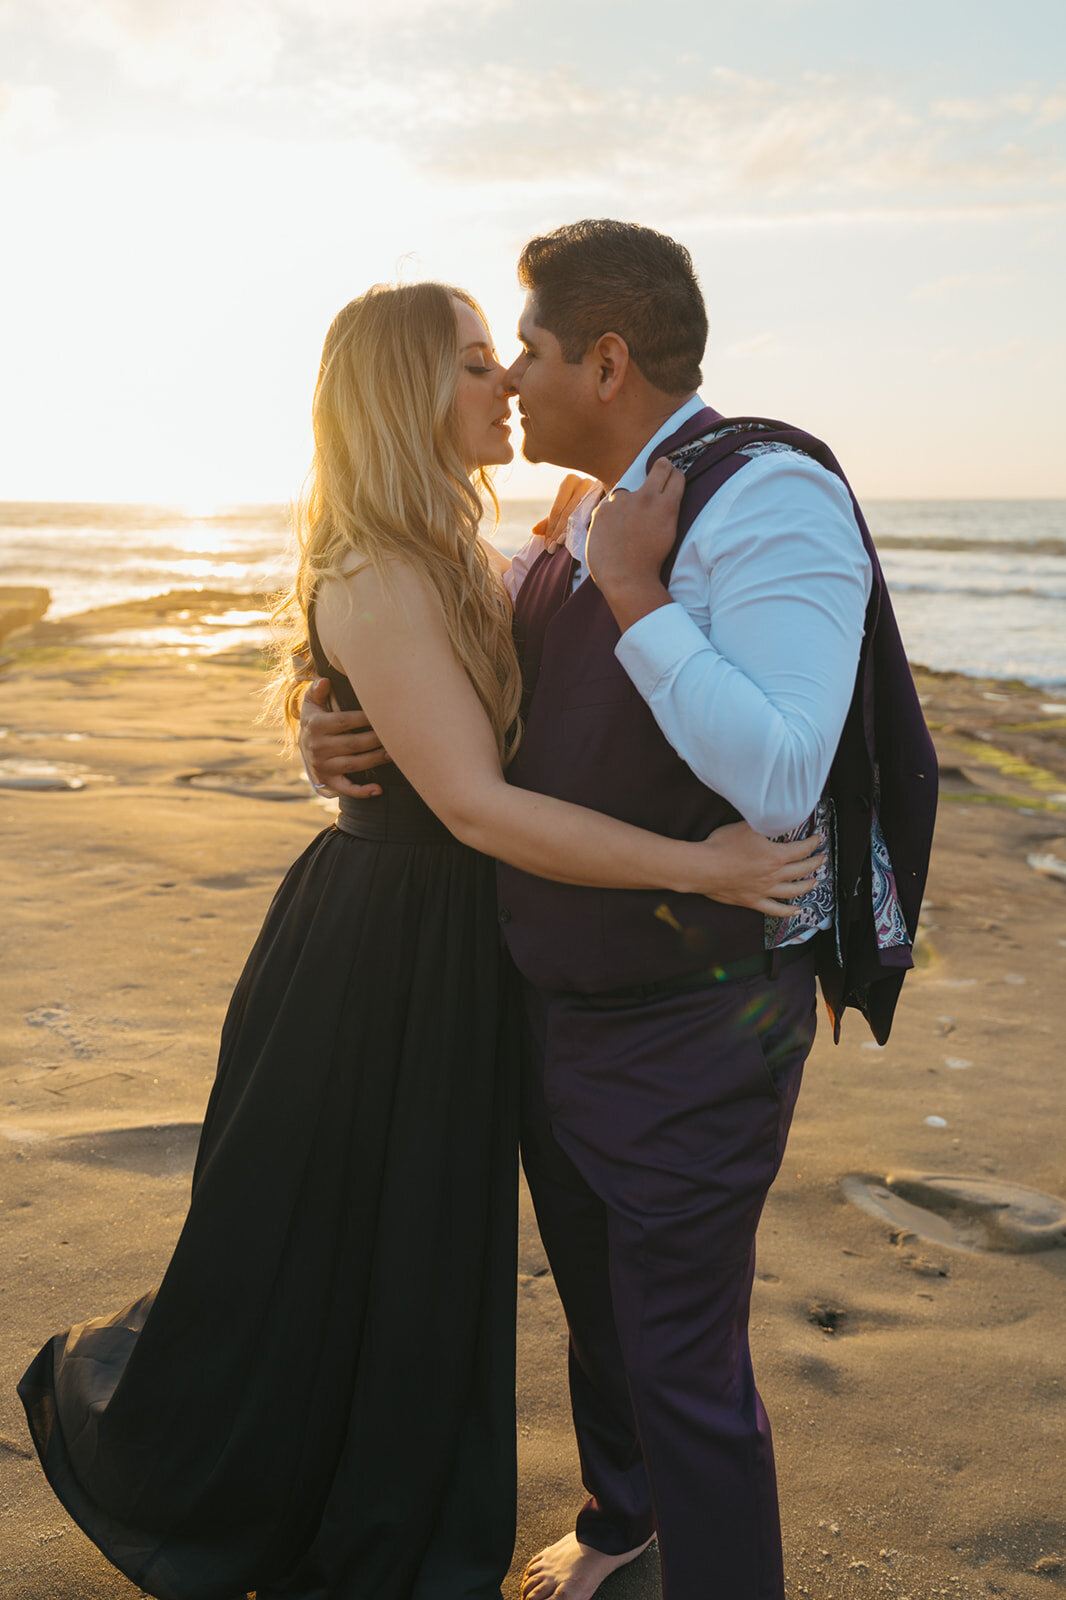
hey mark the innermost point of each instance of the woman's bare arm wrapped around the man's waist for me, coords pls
(391, 642)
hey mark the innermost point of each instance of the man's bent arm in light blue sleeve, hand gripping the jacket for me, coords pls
(748, 663)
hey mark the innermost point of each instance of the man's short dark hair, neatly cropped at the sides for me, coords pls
(603, 278)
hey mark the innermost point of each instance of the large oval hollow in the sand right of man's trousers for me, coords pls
(964, 1214)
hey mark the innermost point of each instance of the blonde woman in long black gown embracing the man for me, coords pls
(319, 1399)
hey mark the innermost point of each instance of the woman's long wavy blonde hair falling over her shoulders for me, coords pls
(388, 482)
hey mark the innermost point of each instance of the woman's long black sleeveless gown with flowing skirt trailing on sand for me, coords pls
(318, 1402)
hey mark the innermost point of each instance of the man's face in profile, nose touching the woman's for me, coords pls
(556, 398)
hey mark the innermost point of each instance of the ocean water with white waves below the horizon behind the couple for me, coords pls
(979, 586)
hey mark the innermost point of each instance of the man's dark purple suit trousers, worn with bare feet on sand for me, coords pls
(652, 1132)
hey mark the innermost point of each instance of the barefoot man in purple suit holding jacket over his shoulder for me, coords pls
(748, 668)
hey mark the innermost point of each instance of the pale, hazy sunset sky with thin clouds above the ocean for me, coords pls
(190, 190)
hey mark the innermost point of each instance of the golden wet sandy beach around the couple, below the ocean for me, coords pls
(910, 1308)
